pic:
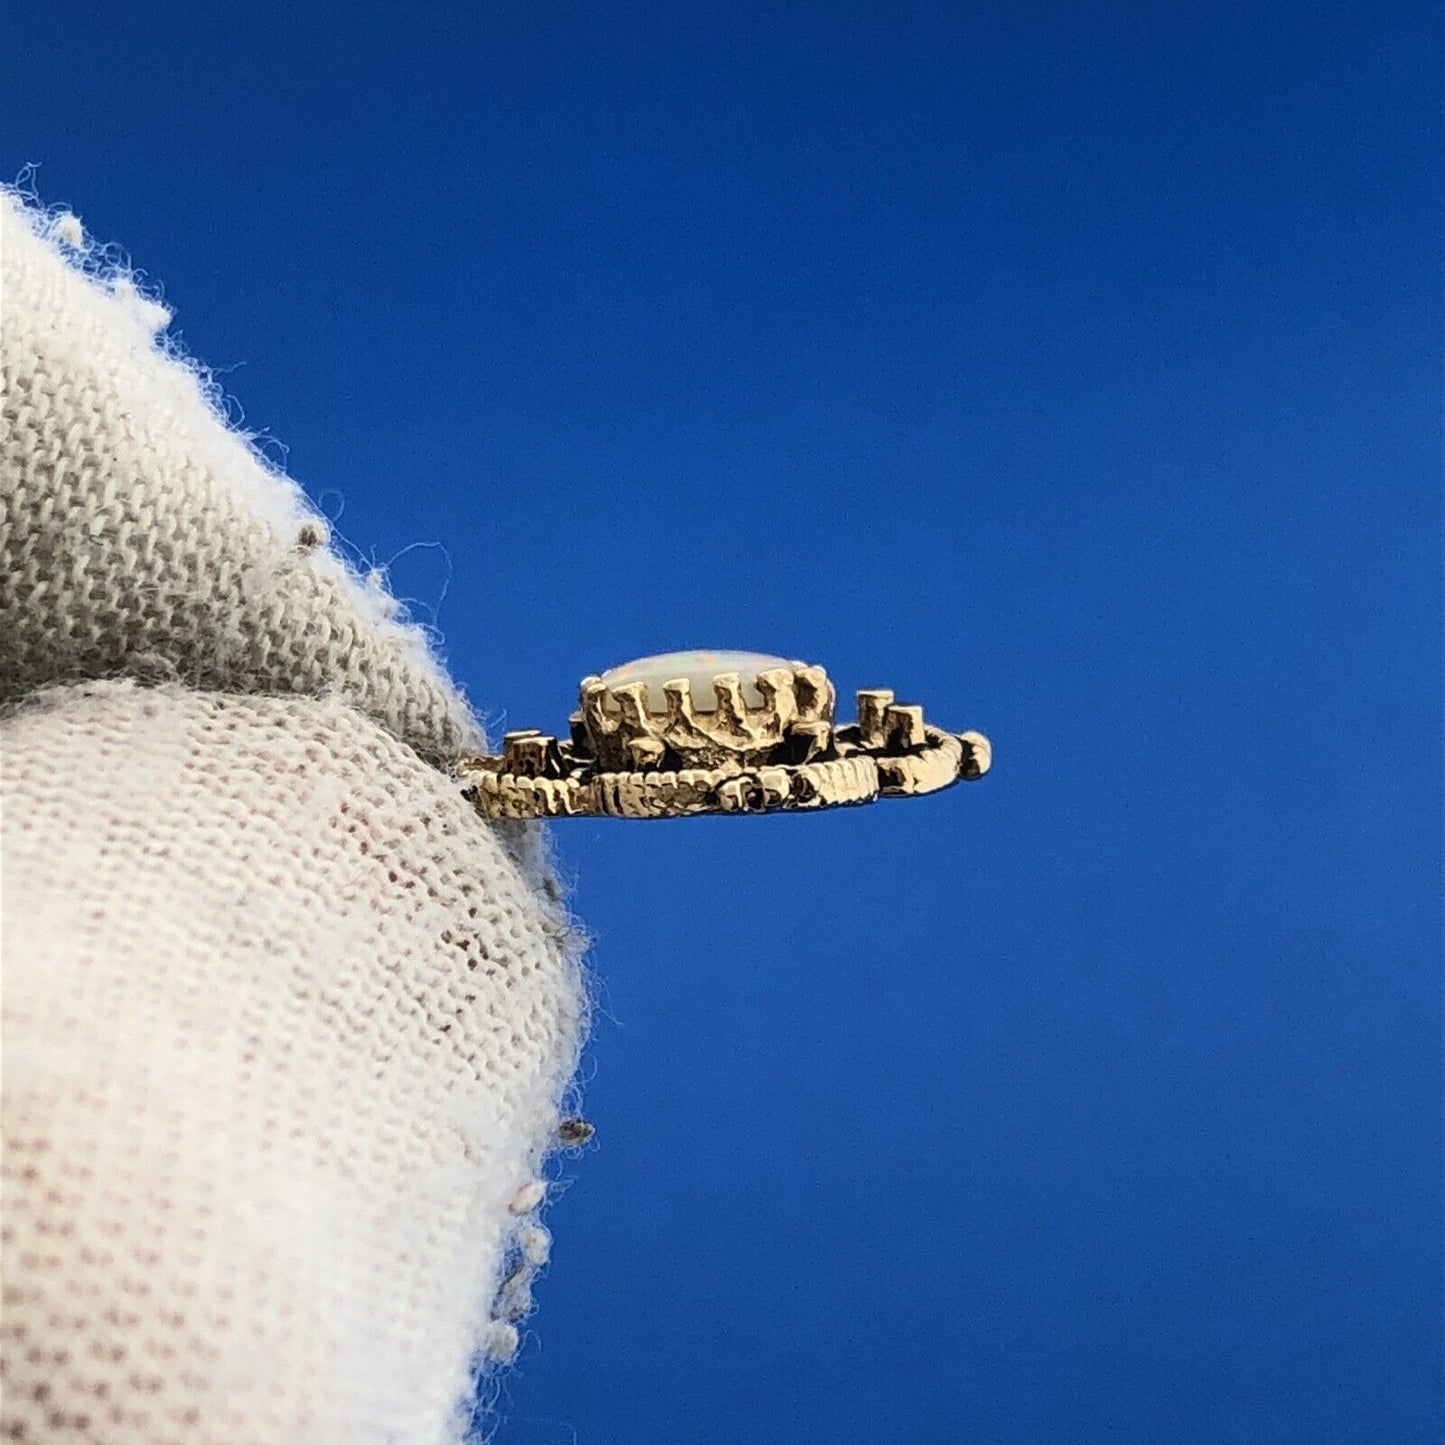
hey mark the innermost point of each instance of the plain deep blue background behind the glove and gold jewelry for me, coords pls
(1070, 369)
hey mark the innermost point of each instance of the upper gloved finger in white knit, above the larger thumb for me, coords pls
(141, 535)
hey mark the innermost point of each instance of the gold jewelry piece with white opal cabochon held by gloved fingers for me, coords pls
(647, 743)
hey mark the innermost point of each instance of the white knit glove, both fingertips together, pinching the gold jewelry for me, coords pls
(287, 1027)
